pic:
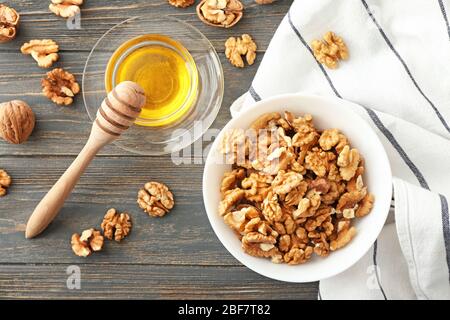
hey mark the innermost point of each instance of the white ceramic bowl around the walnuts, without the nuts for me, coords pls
(327, 113)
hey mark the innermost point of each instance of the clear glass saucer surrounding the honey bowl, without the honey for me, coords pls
(158, 140)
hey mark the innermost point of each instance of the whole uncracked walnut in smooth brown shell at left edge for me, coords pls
(16, 121)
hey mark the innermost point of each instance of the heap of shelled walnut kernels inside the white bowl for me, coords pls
(297, 193)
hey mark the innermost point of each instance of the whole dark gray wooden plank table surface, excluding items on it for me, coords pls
(178, 256)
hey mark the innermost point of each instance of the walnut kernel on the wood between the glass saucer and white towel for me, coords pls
(235, 48)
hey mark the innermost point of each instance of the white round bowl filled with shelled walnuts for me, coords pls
(298, 187)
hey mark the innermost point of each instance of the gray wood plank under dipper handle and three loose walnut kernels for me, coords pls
(184, 236)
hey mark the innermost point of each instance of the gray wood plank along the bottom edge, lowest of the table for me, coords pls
(146, 282)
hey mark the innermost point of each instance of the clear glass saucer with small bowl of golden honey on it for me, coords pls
(177, 67)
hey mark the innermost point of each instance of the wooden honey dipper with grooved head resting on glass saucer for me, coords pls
(116, 114)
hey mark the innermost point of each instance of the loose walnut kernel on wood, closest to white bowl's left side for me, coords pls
(155, 199)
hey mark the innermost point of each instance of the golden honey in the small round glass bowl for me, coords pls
(164, 69)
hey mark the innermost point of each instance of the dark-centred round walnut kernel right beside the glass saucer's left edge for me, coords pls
(60, 86)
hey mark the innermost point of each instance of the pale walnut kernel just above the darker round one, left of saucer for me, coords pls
(45, 52)
